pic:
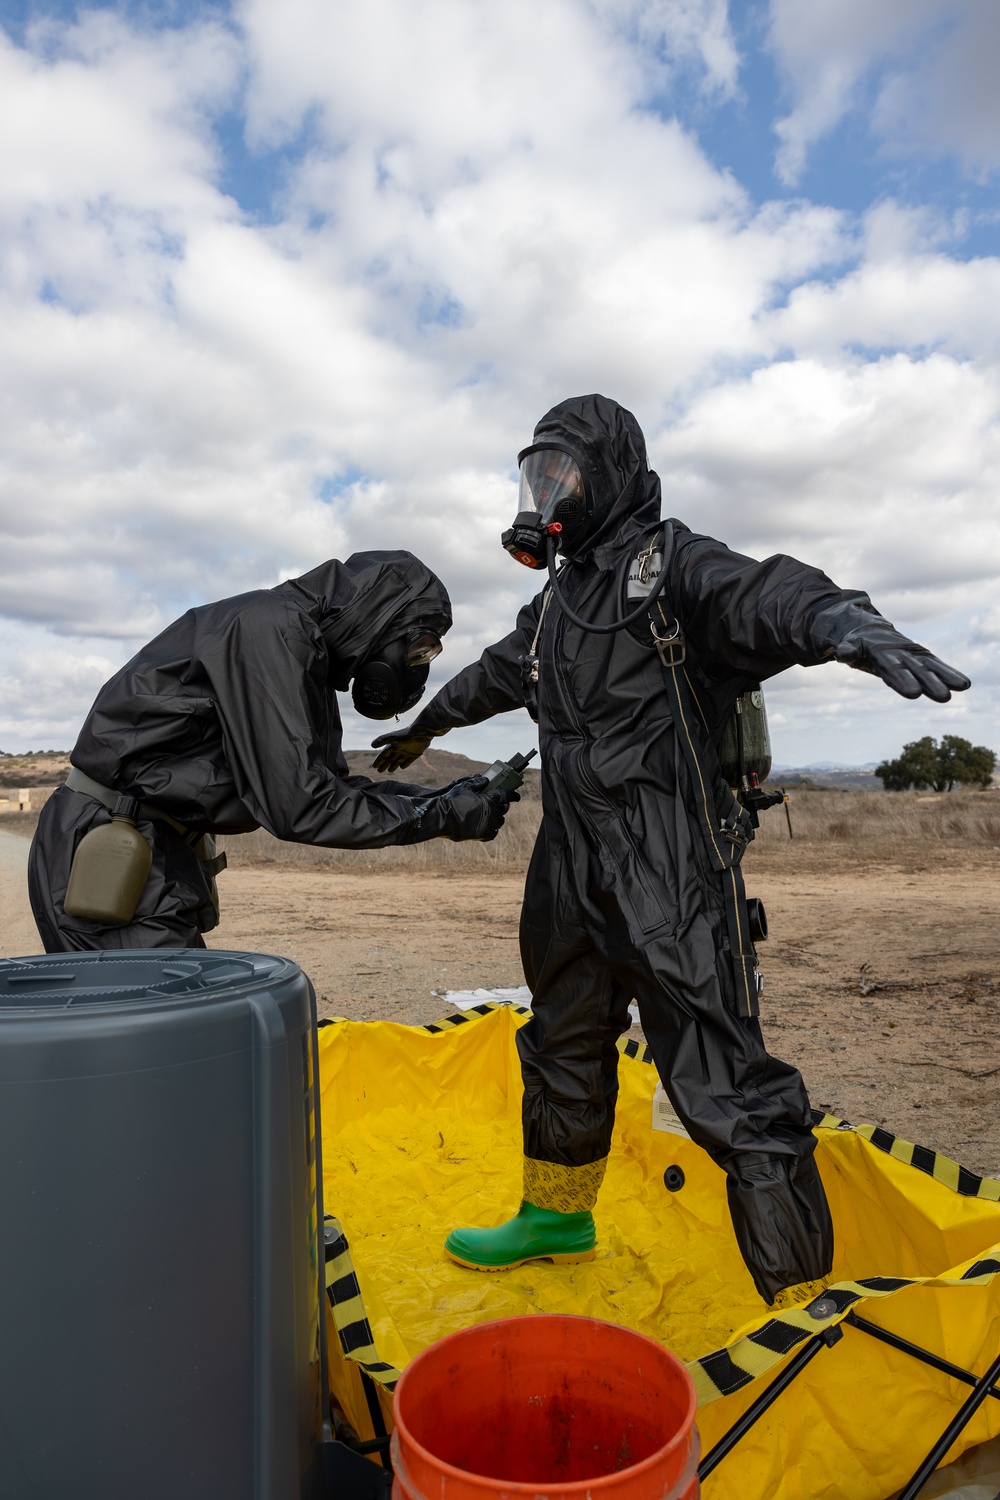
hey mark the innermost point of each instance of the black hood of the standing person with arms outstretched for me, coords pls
(608, 443)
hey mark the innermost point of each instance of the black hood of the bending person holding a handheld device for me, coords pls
(367, 601)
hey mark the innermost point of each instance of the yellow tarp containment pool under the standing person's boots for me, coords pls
(422, 1133)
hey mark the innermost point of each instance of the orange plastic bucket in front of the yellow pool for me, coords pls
(555, 1408)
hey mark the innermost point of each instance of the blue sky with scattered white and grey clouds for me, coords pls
(284, 280)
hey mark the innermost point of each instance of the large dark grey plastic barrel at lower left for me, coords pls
(160, 1208)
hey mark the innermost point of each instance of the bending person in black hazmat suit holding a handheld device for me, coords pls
(229, 722)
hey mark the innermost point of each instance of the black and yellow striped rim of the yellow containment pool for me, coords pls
(737, 1366)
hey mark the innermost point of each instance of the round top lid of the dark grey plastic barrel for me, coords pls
(64, 980)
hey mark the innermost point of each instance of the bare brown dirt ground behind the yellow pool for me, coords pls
(882, 983)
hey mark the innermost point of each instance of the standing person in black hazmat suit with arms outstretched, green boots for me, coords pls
(635, 884)
